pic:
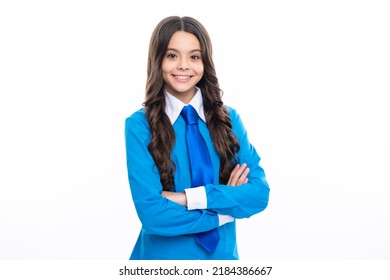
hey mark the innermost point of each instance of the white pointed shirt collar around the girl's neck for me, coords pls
(173, 105)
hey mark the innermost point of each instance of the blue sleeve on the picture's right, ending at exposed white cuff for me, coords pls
(248, 199)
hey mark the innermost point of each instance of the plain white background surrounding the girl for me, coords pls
(309, 78)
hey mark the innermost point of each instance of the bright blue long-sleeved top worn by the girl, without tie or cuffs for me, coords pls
(167, 227)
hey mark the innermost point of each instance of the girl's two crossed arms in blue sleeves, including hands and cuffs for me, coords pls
(167, 213)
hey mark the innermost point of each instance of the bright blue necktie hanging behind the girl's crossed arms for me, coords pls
(202, 171)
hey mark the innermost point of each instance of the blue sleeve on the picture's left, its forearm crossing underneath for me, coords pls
(157, 214)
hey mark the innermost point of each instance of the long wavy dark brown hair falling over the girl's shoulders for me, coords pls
(217, 117)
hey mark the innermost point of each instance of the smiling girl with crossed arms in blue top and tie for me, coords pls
(176, 208)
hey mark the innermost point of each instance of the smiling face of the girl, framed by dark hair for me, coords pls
(182, 66)
